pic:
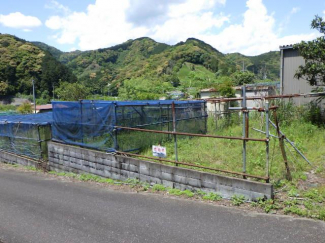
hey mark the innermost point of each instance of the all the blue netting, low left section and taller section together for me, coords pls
(92, 124)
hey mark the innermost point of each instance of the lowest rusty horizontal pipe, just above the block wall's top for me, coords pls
(197, 166)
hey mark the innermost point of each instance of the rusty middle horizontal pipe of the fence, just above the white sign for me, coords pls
(192, 134)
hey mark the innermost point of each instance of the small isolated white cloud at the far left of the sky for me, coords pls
(19, 21)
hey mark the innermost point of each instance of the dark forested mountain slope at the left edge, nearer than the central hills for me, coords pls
(21, 61)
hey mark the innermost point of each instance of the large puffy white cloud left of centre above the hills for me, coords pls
(102, 25)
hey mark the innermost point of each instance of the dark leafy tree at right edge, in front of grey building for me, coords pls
(314, 54)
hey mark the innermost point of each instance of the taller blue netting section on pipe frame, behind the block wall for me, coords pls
(92, 123)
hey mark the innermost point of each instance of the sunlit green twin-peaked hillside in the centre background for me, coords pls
(155, 67)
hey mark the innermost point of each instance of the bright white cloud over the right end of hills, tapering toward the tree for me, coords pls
(257, 34)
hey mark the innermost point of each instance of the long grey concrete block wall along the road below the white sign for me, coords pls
(80, 160)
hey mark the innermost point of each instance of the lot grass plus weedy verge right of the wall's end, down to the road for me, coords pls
(304, 195)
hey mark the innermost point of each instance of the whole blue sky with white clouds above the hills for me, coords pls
(250, 27)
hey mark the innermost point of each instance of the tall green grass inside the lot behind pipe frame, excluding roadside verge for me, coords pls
(227, 154)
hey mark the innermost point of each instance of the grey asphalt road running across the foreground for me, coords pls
(36, 208)
